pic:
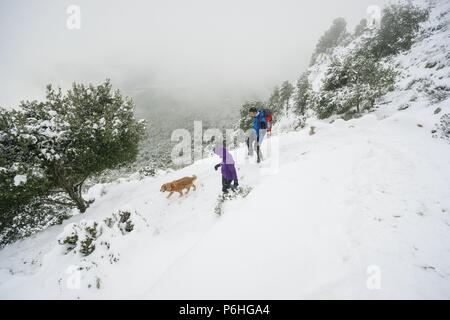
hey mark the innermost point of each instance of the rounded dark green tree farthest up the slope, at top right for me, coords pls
(399, 25)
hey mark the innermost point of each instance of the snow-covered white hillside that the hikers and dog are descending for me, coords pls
(355, 201)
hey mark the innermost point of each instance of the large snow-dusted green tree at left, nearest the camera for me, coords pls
(55, 145)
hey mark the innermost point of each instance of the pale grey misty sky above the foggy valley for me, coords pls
(164, 53)
